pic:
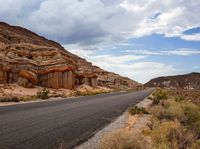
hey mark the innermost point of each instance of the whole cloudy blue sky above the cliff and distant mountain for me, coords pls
(140, 39)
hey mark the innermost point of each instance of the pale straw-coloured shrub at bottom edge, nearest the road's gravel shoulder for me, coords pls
(122, 139)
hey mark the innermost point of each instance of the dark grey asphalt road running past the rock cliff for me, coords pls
(43, 125)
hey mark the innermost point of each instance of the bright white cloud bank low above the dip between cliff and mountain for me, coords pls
(128, 65)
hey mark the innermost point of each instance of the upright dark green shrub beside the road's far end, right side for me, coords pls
(159, 95)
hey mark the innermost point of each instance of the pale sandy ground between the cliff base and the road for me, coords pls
(14, 90)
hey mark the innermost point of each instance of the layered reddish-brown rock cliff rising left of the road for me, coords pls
(29, 59)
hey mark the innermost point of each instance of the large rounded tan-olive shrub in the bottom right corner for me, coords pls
(171, 135)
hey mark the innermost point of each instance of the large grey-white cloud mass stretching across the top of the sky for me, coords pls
(91, 22)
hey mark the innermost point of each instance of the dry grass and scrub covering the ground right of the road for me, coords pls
(175, 124)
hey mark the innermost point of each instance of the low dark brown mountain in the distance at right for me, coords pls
(187, 81)
